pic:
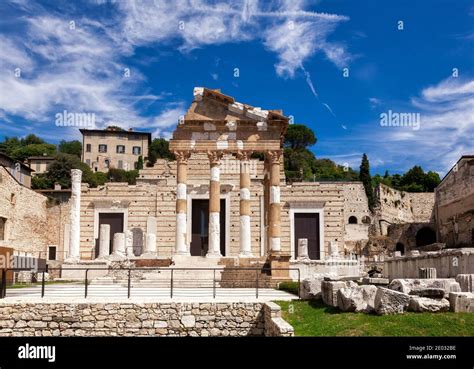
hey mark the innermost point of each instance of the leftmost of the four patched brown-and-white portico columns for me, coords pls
(181, 202)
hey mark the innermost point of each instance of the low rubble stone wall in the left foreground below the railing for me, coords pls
(141, 319)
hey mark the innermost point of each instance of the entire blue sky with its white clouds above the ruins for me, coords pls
(290, 55)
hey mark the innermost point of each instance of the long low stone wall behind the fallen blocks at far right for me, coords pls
(448, 263)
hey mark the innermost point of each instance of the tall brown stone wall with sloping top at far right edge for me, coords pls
(455, 206)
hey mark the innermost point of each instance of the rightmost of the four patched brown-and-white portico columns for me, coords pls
(274, 158)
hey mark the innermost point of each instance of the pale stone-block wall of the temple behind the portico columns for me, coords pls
(155, 195)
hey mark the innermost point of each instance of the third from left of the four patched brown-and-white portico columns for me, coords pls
(245, 229)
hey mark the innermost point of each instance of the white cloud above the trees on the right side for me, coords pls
(446, 130)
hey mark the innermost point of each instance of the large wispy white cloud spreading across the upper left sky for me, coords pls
(79, 68)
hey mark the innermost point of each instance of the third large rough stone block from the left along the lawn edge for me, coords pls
(357, 298)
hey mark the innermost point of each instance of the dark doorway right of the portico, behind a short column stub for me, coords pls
(307, 226)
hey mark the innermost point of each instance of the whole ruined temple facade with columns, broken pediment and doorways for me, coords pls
(218, 198)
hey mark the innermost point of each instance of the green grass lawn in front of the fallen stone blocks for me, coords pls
(313, 318)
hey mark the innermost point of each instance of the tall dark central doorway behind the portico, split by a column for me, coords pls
(200, 227)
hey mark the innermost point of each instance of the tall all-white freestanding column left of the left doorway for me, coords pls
(75, 217)
